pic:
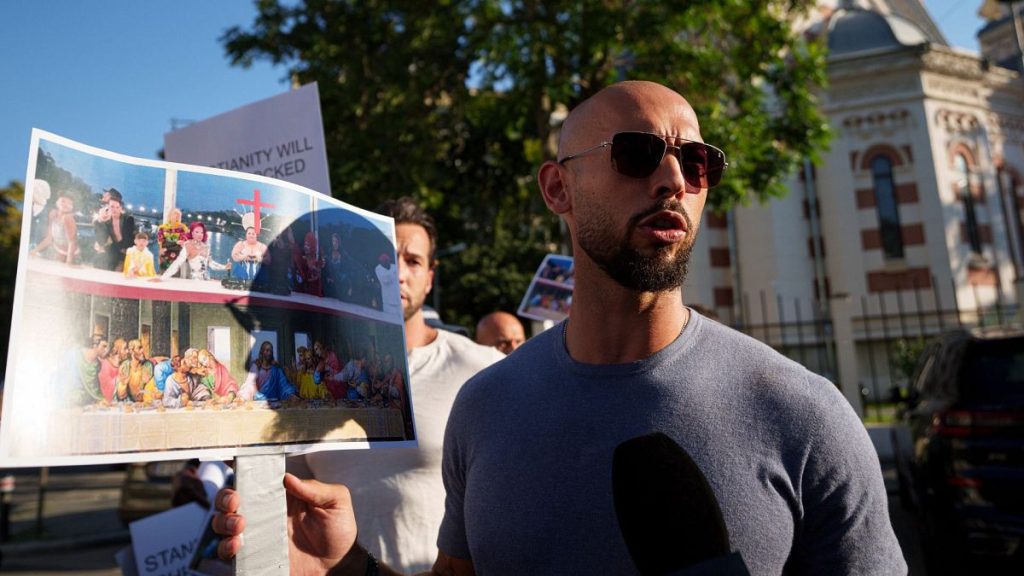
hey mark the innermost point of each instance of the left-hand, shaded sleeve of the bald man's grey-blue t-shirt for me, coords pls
(452, 536)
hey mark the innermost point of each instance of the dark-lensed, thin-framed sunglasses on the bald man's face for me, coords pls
(638, 154)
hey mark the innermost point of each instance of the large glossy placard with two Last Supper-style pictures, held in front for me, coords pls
(166, 311)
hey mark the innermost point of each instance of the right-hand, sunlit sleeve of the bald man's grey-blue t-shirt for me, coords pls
(846, 527)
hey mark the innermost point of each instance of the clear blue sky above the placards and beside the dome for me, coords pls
(115, 73)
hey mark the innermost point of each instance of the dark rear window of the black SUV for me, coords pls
(994, 372)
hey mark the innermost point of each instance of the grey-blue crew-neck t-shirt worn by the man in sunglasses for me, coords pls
(530, 443)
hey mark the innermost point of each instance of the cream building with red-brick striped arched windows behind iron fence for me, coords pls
(911, 225)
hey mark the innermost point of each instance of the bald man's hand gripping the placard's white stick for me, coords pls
(321, 527)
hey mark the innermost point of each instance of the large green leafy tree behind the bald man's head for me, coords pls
(458, 102)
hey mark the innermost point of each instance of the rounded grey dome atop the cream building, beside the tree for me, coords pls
(855, 30)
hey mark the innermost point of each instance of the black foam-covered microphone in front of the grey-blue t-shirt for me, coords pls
(667, 512)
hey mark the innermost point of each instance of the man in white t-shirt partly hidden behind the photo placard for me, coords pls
(400, 490)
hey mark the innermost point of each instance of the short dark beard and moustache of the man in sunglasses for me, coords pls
(658, 273)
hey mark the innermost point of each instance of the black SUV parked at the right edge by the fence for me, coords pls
(962, 466)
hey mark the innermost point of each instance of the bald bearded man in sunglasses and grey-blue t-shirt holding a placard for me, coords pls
(530, 442)
